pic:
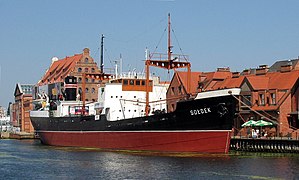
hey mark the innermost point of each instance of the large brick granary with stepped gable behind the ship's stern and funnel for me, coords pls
(52, 81)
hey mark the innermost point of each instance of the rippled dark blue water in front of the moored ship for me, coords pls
(28, 159)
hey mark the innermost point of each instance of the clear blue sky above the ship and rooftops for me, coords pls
(238, 34)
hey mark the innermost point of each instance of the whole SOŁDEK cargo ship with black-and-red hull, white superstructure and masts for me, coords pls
(131, 114)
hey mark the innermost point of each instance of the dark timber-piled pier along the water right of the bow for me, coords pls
(274, 145)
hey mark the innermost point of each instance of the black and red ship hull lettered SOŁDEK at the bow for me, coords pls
(201, 125)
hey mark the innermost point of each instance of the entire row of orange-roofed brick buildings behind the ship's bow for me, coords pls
(269, 93)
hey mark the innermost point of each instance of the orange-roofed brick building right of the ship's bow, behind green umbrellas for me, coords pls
(270, 94)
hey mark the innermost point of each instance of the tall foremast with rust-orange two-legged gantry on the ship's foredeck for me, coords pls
(169, 64)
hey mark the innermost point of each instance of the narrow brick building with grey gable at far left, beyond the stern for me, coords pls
(21, 107)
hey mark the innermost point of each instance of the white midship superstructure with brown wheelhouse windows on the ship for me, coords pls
(125, 97)
